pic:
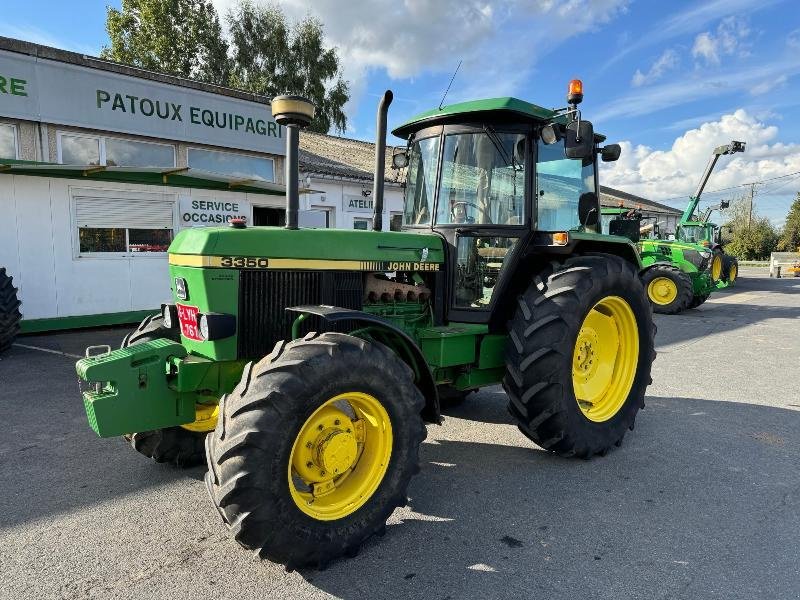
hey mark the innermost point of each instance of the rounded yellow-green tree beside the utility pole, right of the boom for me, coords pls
(748, 237)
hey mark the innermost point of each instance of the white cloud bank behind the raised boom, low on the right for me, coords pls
(662, 174)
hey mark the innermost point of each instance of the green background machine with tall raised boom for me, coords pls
(724, 267)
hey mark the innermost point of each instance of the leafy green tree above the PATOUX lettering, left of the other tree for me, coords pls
(178, 37)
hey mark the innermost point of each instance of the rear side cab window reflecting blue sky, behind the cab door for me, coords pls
(560, 182)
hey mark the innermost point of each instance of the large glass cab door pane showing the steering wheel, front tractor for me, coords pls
(483, 179)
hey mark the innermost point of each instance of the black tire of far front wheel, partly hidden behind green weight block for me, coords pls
(174, 445)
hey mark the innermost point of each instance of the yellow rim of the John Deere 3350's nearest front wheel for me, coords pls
(340, 456)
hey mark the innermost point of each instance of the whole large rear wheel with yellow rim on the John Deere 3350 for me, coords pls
(579, 355)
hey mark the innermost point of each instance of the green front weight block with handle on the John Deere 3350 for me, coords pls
(132, 390)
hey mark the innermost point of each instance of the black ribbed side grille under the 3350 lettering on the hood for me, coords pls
(264, 296)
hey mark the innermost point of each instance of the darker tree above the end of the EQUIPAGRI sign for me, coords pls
(270, 57)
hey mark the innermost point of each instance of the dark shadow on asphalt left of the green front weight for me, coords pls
(51, 462)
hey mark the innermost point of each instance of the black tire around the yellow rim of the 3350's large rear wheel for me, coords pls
(539, 355)
